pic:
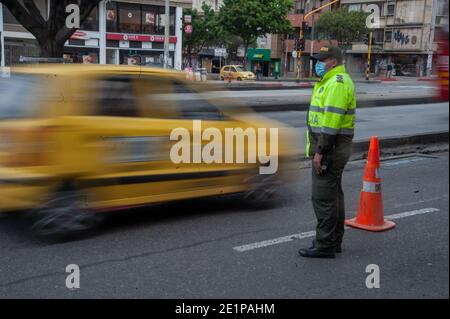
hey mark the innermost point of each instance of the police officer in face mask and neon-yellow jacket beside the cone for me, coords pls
(331, 124)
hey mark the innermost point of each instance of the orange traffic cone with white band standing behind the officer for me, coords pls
(370, 211)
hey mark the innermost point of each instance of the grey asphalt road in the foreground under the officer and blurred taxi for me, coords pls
(191, 249)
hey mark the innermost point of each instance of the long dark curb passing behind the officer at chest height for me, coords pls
(304, 106)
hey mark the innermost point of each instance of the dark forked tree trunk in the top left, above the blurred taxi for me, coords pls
(51, 34)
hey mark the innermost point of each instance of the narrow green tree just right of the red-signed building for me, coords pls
(206, 30)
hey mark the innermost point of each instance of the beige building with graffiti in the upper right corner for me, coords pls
(405, 36)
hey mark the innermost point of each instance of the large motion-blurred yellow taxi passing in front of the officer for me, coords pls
(76, 141)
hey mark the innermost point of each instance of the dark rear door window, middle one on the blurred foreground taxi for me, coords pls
(116, 97)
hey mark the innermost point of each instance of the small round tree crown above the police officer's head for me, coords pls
(344, 26)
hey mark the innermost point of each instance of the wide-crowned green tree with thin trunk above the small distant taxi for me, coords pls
(250, 19)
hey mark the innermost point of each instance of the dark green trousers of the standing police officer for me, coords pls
(328, 197)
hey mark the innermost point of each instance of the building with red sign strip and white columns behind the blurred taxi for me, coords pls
(116, 32)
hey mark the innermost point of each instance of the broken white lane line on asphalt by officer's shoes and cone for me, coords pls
(312, 233)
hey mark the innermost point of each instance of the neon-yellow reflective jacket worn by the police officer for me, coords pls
(332, 111)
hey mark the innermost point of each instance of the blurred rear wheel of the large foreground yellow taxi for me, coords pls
(64, 216)
